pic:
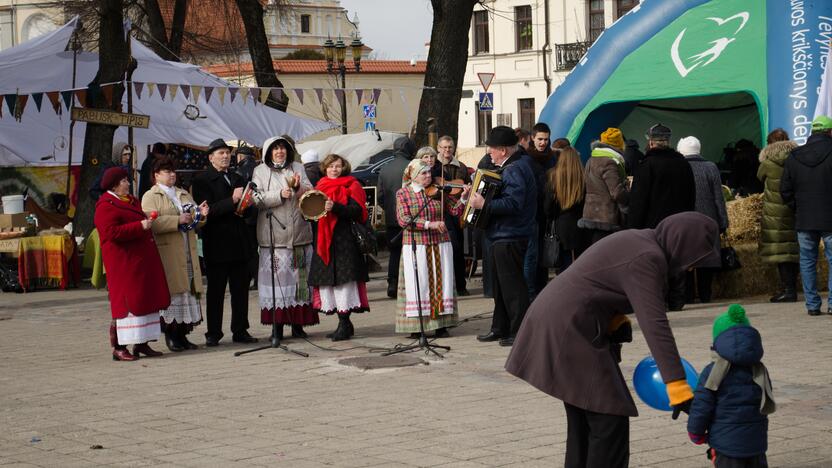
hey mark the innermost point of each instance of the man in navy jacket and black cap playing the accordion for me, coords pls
(511, 215)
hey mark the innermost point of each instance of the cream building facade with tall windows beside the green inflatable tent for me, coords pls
(530, 47)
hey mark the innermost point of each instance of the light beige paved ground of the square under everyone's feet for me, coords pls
(64, 402)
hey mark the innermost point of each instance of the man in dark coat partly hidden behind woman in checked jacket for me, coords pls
(389, 182)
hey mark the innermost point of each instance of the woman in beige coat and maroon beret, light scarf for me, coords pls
(173, 231)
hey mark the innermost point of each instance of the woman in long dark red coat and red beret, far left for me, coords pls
(135, 276)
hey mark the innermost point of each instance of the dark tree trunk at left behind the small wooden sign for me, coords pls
(113, 61)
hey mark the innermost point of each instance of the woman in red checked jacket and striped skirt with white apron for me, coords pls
(434, 256)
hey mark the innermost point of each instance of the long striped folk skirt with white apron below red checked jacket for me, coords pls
(436, 287)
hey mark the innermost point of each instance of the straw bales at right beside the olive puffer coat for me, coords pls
(756, 278)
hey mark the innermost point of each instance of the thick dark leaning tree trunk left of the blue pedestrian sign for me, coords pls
(446, 67)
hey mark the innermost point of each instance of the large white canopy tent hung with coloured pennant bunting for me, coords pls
(42, 138)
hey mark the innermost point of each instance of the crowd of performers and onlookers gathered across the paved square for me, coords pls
(633, 233)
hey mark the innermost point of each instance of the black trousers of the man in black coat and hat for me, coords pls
(235, 274)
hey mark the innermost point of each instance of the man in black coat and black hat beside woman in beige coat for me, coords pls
(226, 246)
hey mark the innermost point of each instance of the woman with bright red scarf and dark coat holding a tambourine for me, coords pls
(338, 273)
